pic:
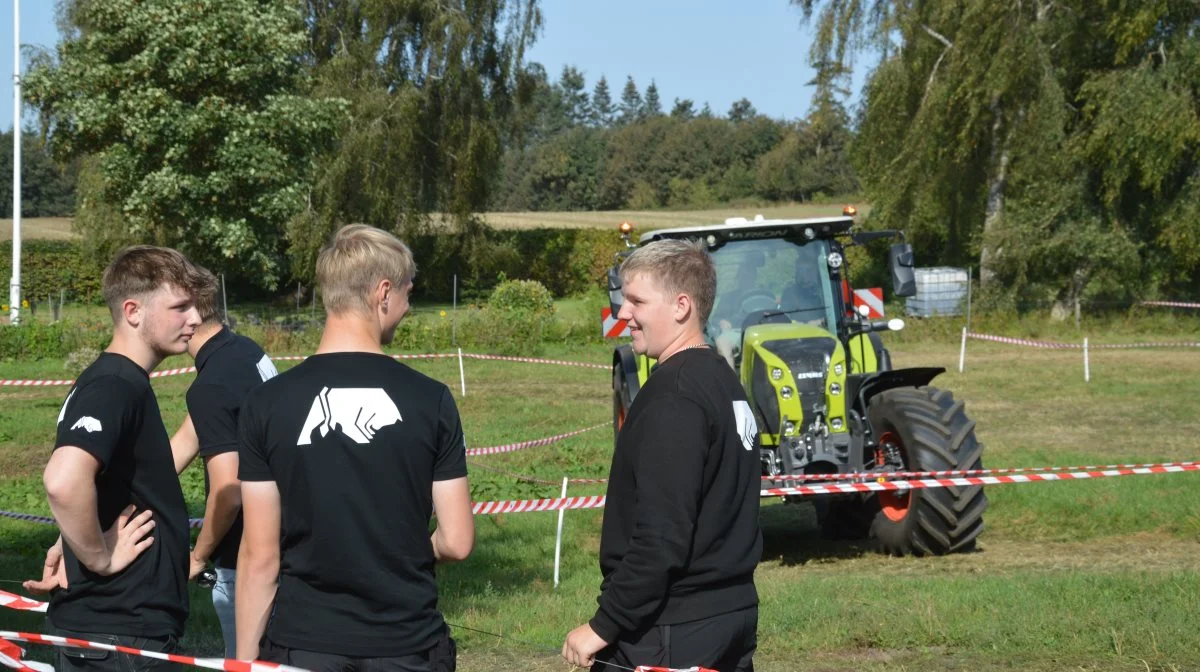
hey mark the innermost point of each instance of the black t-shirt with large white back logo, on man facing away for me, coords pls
(355, 442)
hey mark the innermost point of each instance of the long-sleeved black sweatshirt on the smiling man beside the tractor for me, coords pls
(681, 536)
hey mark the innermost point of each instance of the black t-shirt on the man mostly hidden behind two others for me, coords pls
(229, 368)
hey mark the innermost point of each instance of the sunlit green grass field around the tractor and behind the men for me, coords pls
(1096, 575)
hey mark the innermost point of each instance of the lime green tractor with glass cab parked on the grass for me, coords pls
(821, 382)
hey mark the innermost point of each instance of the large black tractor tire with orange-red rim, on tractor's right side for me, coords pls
(933, 434)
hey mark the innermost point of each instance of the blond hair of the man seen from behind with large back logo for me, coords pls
(352, 266)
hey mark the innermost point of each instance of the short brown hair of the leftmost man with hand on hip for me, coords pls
(141, 271)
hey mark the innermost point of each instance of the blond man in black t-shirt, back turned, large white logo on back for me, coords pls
(343, 461)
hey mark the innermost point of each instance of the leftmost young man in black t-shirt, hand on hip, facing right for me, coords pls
(111, 481)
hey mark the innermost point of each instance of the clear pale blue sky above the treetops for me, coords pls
(715, 51)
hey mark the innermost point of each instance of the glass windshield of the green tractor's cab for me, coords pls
(772, 275)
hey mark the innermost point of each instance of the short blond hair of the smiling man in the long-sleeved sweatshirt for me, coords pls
(681, 267)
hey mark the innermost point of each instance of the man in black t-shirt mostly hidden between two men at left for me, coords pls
(229, 367)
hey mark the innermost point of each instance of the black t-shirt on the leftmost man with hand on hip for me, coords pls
(112, 413)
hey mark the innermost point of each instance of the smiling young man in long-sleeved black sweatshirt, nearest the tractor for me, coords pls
(681, 536)
